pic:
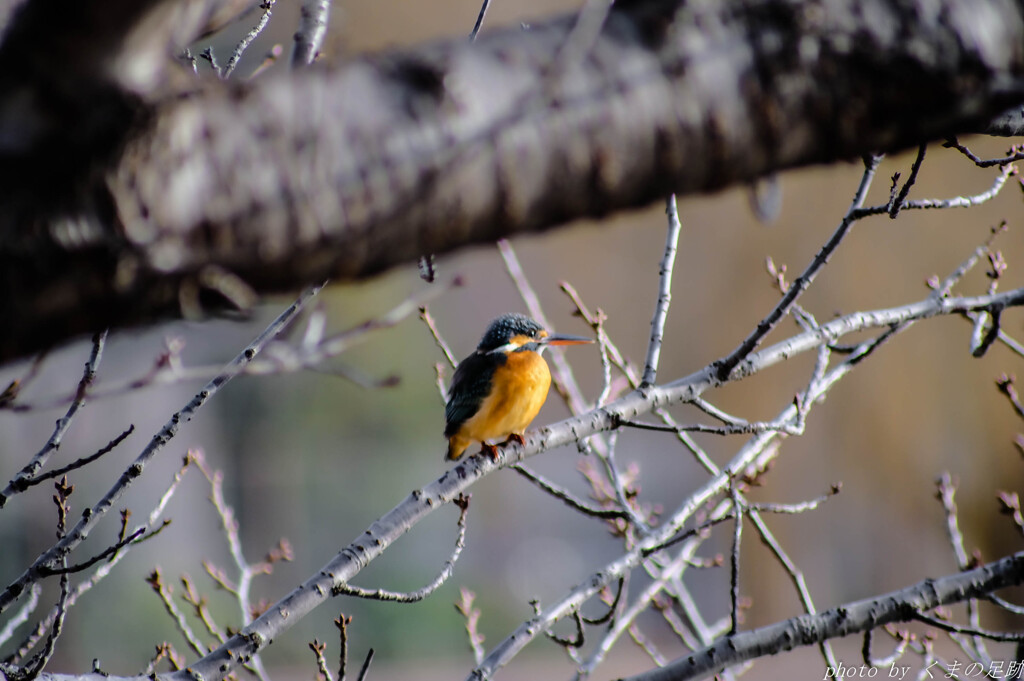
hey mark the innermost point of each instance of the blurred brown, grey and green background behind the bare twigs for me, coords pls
(315, 458)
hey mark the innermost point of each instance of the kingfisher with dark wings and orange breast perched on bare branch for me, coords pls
(499, 390)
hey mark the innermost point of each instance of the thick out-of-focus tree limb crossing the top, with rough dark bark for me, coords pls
(135, 194)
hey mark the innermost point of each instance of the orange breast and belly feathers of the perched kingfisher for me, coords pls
(518, 394)
